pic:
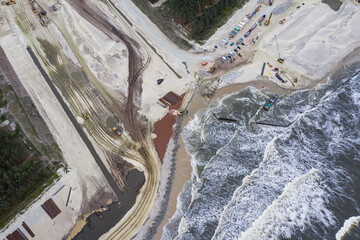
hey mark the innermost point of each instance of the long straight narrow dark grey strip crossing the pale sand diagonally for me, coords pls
(87, 142)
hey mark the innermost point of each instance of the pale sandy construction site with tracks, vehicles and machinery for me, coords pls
(107, 72)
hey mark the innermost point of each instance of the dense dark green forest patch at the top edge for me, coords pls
(202, 15)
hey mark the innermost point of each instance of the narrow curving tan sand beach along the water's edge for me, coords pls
(183, 168)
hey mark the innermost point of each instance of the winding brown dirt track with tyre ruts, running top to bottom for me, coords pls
(139, 130)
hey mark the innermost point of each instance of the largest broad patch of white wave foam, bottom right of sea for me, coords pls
(302, 202)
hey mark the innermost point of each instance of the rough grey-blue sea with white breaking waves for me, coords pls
(289, 173)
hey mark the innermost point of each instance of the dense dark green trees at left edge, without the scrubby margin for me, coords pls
(21, 173)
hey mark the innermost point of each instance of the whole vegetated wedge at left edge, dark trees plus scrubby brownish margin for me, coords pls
(25, 169)
